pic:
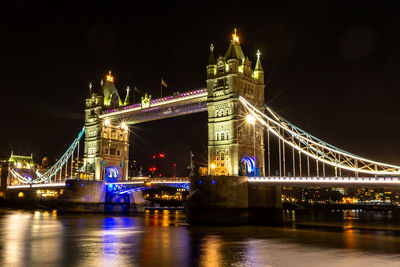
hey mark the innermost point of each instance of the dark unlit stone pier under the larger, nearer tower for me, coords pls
(231, 200)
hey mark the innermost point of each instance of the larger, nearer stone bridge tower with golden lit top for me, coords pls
(231, 141)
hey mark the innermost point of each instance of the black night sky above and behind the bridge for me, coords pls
(333, 68)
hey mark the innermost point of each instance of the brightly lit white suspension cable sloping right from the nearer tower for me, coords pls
(315, 148)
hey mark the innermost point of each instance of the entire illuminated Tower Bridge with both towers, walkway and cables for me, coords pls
(241, 129)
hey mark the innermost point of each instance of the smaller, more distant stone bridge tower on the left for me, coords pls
(106, 151)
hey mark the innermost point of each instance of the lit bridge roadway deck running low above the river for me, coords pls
(273, 180)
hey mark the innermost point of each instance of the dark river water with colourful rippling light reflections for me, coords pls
(350, 238)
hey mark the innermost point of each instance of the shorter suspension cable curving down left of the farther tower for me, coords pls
(56, 168)
